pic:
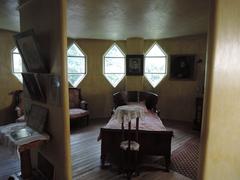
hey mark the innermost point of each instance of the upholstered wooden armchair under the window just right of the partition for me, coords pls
(78, 108)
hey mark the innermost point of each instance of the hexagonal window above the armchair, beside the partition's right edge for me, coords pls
(76, 65)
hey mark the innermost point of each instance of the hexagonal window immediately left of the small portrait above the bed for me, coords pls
(114, 65)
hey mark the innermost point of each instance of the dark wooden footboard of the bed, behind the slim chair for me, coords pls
(156, 143)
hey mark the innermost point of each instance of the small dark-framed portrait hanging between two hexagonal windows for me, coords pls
(134, 65)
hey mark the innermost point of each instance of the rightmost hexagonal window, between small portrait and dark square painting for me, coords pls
(155, 68)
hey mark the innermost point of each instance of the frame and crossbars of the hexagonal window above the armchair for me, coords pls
(85, 67)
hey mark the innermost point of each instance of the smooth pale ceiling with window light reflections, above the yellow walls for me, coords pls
(121, 19)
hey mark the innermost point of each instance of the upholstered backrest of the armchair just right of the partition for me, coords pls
(74, 98)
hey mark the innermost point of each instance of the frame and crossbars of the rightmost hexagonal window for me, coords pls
(166, 62)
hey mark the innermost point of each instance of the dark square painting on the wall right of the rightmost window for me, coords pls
(182, 67)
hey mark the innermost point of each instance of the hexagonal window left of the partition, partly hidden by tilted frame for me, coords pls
(17, 64)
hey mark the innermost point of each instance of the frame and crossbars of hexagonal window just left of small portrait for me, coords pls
(124, 57)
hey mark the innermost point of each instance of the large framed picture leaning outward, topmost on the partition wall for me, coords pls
(29, 51)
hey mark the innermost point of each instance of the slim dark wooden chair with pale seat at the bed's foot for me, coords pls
(130, 150)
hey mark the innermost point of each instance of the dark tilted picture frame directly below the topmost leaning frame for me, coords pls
(33, 86)
